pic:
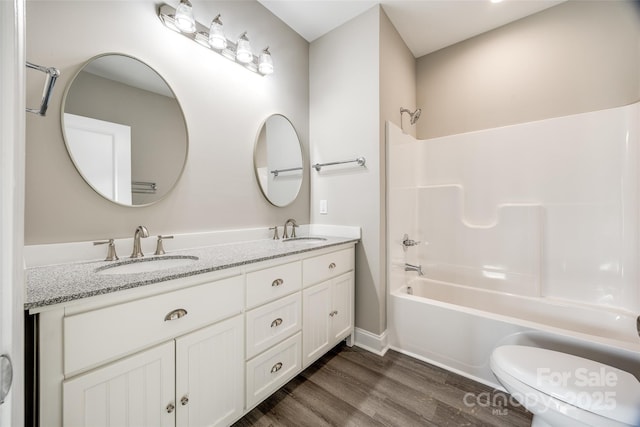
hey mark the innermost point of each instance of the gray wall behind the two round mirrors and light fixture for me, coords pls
(224, 106)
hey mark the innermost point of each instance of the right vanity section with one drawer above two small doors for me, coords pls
(327, 305)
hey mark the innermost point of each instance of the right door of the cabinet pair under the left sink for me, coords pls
(209, 375)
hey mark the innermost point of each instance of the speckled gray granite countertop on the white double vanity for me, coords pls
(55, 284)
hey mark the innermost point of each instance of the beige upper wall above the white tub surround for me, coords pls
(576, 57)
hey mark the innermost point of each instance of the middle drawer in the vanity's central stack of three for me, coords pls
(273, 322)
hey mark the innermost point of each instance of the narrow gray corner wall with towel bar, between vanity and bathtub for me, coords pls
(360, 75)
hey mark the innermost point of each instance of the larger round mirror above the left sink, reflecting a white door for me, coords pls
(124, 130)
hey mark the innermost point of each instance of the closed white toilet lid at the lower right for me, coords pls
(584, 383)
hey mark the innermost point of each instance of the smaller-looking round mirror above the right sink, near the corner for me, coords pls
(277, 159)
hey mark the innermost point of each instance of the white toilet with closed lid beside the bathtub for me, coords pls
(563, 390)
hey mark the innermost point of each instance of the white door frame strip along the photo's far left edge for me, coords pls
(12, 167)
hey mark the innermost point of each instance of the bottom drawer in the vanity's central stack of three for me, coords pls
(272, 369)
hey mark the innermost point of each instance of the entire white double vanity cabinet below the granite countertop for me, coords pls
(201, 350)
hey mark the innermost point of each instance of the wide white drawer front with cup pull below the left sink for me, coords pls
(100, 335)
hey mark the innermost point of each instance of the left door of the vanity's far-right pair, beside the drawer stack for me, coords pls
(316, 325)
